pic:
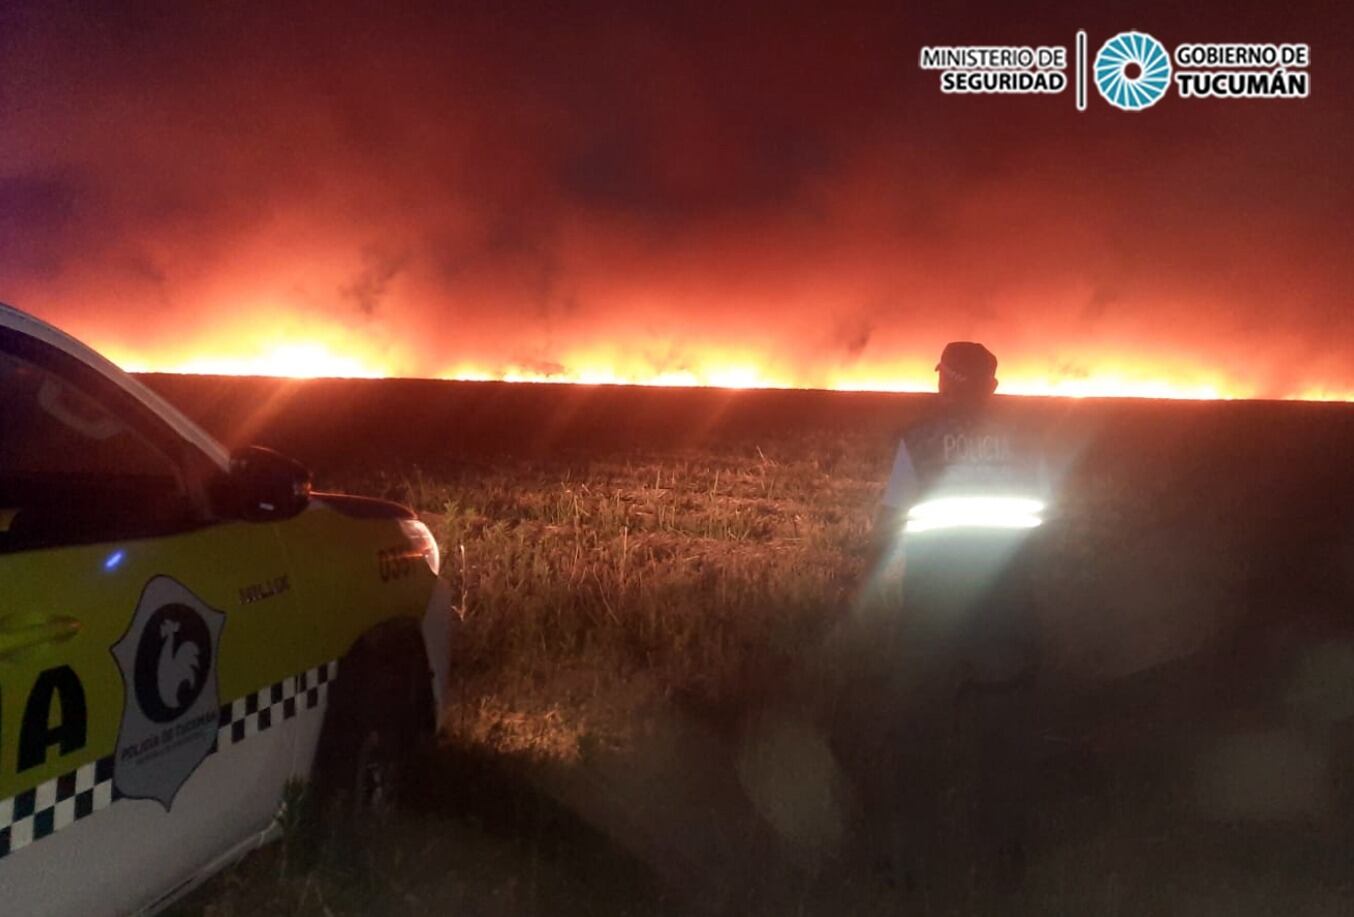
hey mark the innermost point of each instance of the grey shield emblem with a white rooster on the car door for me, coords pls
(171, 702)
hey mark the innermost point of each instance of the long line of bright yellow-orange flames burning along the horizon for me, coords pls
(290, 345)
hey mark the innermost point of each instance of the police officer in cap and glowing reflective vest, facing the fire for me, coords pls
(966, 488)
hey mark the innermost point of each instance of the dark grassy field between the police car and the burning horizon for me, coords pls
(668, 683)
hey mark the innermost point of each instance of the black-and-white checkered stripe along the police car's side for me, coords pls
(51, 807)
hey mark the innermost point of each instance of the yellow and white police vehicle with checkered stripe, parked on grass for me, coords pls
(183, 633)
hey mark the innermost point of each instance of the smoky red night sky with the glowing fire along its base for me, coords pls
(689, 193)
